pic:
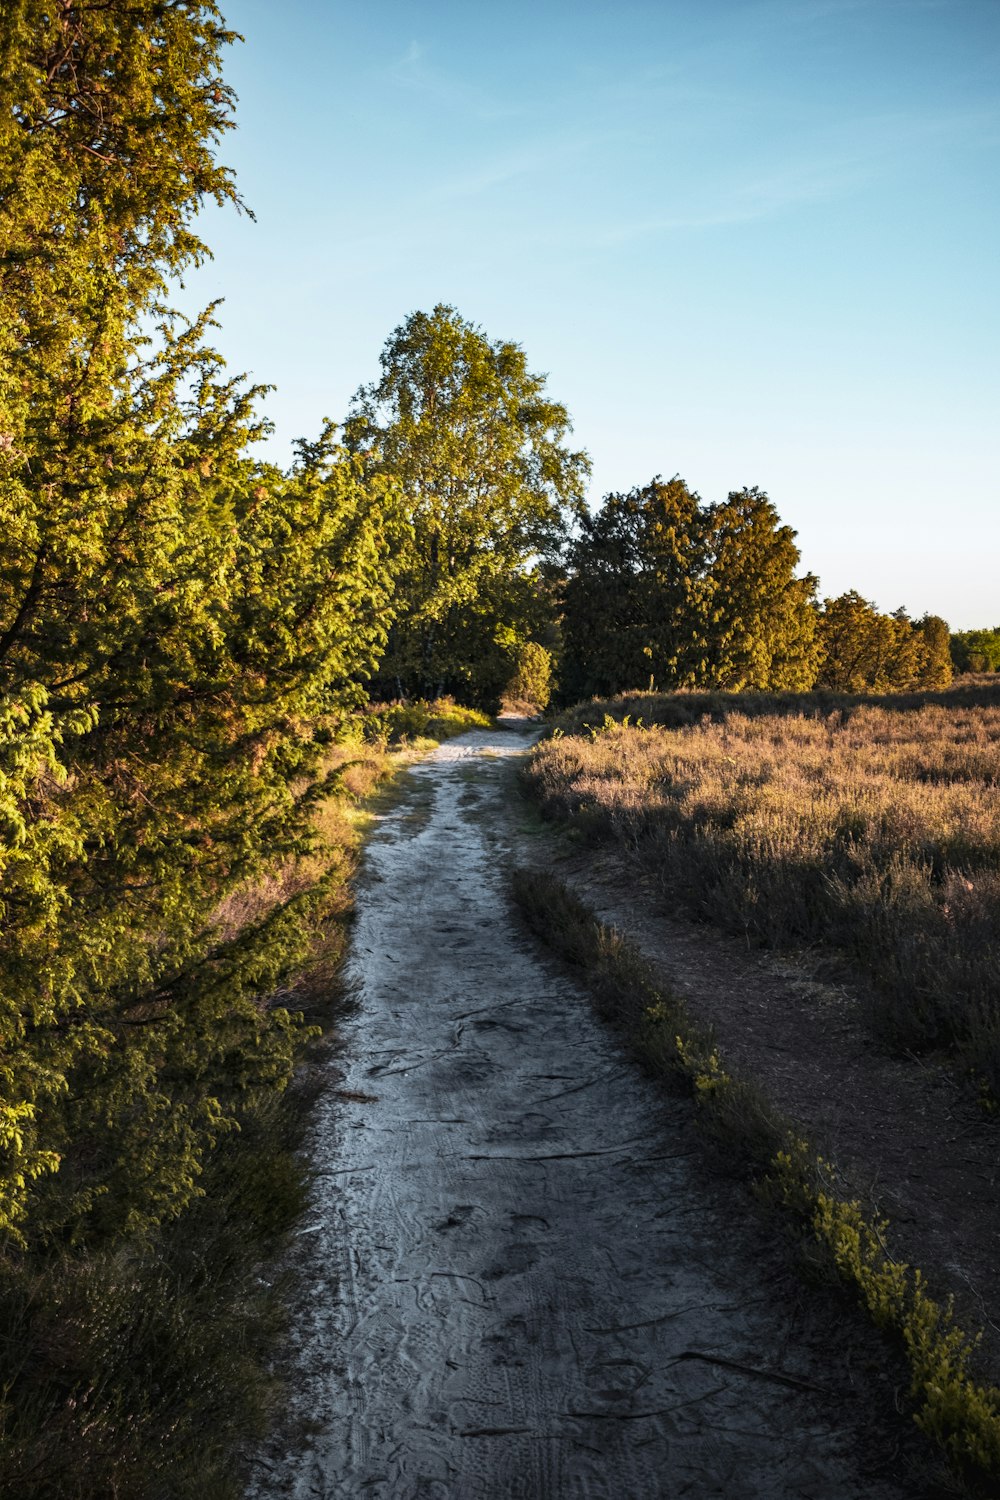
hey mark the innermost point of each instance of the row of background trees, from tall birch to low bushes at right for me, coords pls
(499, 560)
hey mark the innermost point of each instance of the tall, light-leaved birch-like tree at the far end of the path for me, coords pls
(478, 454)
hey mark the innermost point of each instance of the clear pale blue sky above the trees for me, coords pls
(752, 242)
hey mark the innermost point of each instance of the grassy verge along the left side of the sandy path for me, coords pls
(133, 1366)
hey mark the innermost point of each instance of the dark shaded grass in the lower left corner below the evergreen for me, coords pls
(137, 1369)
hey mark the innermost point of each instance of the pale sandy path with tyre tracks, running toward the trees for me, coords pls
(516, 1279)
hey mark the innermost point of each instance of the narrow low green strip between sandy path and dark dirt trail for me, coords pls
(950, 1402)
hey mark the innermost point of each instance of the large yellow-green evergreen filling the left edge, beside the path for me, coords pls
(176, 620)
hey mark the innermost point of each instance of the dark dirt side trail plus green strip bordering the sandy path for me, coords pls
(842, 1156)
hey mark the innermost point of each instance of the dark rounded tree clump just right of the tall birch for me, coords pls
(665, 592)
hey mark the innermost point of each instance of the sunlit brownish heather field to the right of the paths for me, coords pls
(866, 827)
